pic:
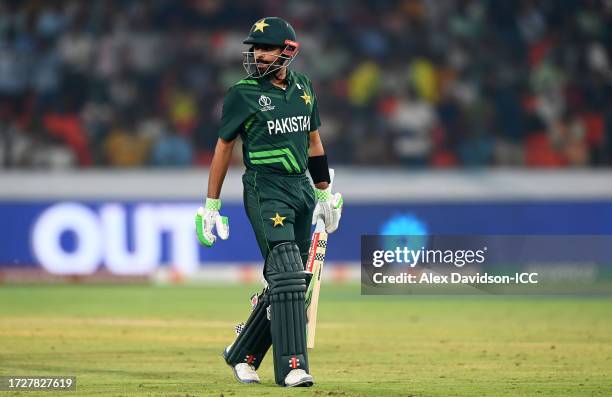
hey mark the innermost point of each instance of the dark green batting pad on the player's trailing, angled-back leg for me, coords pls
(254, 340)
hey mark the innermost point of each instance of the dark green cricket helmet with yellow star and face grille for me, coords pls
(275, 32)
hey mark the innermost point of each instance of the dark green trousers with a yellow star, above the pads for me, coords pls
(279, 208)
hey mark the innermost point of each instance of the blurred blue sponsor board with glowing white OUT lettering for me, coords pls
(133, 237)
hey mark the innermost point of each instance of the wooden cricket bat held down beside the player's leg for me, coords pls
(316, 258)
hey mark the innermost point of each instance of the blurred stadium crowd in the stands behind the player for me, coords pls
(415, 83)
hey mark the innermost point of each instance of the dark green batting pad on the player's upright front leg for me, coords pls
(286, 278)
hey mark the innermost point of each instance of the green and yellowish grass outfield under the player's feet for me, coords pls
(166, 341)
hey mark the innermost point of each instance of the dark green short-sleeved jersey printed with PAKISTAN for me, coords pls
(274, 124)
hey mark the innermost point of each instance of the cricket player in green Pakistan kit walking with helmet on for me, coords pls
(274, 111)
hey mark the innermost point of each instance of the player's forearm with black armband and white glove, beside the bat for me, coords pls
(329, 206)
